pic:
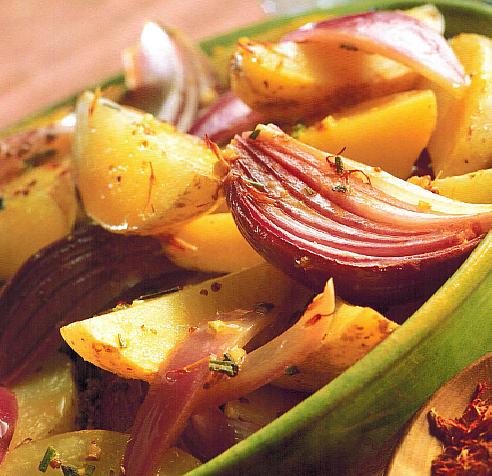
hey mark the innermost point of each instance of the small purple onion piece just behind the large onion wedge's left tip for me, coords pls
(224, 118)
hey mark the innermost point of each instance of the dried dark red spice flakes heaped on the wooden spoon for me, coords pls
(467, 440)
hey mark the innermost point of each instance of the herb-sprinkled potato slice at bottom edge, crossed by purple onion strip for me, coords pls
(75, 449)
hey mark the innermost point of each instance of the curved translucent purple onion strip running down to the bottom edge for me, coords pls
(172, 398)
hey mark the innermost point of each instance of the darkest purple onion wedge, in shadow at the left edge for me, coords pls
(70, 280)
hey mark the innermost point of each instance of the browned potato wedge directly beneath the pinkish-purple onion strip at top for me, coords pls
(290, 81)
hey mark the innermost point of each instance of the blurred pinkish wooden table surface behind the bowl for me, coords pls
(50, 49)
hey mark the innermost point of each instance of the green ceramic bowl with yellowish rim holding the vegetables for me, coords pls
(348, 426)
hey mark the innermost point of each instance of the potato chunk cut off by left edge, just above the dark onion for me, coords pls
(37, 208)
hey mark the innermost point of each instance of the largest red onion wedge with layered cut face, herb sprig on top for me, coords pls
(318, 216)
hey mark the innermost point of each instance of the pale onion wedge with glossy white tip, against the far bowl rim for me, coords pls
(168, 76)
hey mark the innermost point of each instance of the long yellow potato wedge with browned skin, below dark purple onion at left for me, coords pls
(134, 341)
